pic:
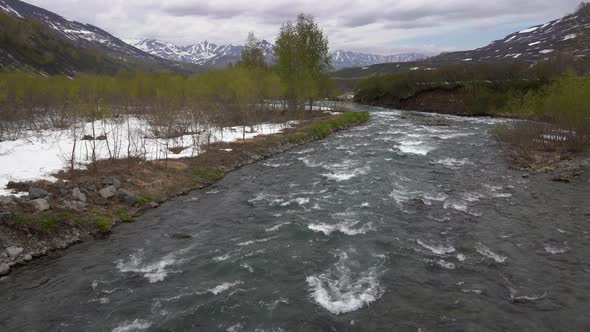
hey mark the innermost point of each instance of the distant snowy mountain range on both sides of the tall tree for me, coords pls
(213, 55)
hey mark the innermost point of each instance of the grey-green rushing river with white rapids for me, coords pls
(413, 222)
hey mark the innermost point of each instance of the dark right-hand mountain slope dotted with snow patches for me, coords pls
(568, 35)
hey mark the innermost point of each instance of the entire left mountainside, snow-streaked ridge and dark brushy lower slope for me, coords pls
(42, 41)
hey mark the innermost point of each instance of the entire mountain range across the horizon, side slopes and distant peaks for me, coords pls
(45, 42)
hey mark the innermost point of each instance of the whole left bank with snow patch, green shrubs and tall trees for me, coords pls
(132, 140)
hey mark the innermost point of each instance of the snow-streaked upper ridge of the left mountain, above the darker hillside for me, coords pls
(80, 34)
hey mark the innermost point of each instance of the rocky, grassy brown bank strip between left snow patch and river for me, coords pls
(86, 204)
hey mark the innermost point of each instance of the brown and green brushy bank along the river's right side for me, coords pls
(549, 103)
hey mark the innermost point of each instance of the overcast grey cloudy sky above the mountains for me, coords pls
(383, 27)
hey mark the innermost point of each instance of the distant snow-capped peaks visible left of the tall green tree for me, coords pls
(205, 53)
